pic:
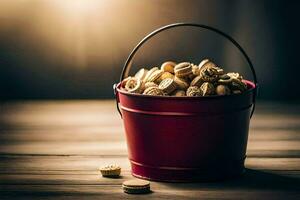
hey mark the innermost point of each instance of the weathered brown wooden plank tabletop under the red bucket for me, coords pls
(52, 149)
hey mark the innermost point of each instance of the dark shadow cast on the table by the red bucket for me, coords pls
(251, 179)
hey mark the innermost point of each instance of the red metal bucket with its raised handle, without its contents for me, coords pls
(183, 139)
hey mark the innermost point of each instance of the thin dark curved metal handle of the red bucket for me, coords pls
(128, 62)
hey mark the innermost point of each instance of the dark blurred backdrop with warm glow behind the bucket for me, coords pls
(76, 49)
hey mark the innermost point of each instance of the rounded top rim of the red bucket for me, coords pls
(250, 84)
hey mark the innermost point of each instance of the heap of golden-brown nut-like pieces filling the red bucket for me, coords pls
(185, 79)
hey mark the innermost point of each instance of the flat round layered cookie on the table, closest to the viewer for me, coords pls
(136, 186)
